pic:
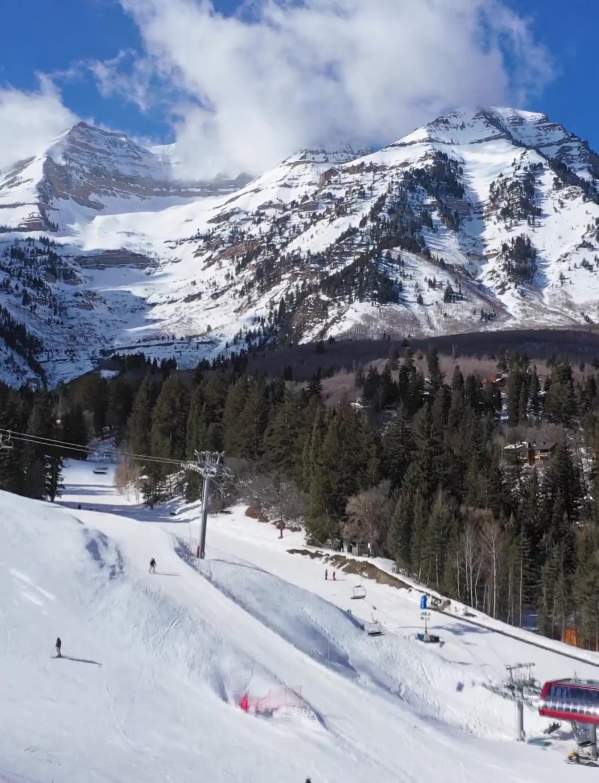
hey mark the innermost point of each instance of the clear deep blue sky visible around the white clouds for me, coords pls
(56, 35)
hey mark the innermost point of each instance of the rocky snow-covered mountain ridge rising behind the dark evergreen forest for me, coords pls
(484, 219)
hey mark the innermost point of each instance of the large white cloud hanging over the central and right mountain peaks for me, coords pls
(287, 74)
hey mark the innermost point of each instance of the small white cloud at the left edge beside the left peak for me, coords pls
(30, 120)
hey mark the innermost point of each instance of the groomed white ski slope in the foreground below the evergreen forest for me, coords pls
(155, 666)
